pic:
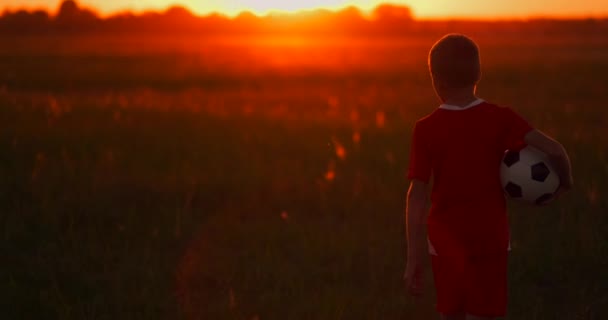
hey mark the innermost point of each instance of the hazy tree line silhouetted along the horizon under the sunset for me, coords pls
(386, 19)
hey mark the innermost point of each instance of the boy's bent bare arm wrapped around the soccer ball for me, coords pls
(557, 154)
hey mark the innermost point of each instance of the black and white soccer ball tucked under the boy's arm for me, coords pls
(527, 175)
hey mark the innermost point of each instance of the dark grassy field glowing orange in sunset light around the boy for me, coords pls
(198, 179)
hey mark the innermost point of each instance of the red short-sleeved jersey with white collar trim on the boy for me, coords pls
(461, 148)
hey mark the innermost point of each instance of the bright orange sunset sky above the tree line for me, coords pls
(421, 8)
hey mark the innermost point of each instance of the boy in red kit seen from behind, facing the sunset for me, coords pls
(461, 145)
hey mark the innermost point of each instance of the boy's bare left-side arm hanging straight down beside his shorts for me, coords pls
(417, 198)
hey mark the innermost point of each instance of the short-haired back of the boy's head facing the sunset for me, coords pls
(454, 61)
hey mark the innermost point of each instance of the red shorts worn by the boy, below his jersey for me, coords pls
(475, 285)
